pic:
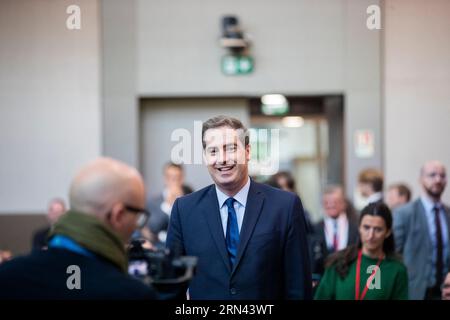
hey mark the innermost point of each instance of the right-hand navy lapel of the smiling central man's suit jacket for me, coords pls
(255, 200)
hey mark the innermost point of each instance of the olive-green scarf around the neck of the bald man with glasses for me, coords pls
(94, 235)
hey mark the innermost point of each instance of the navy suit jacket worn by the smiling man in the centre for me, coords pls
(272, 260)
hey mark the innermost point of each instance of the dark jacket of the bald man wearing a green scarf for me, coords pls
(43, 275)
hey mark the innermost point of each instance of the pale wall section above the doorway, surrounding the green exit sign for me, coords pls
(298, 46)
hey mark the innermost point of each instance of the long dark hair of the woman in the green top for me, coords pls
(343, 259)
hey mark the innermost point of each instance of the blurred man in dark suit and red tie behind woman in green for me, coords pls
(335, 232)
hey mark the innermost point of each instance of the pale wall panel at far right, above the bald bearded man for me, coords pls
(417, 88)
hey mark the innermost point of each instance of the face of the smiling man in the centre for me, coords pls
(227, 158)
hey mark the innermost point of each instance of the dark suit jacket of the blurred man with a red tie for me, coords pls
(319, 248)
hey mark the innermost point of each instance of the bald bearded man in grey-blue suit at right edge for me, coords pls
(421, 231)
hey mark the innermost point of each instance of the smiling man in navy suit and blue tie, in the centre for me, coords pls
(250, 239)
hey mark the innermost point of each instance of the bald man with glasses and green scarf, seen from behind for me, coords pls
(86, 257)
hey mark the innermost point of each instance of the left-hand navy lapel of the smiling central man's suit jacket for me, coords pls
(211, 212)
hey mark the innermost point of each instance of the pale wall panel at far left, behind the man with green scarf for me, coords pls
(49, 100)
